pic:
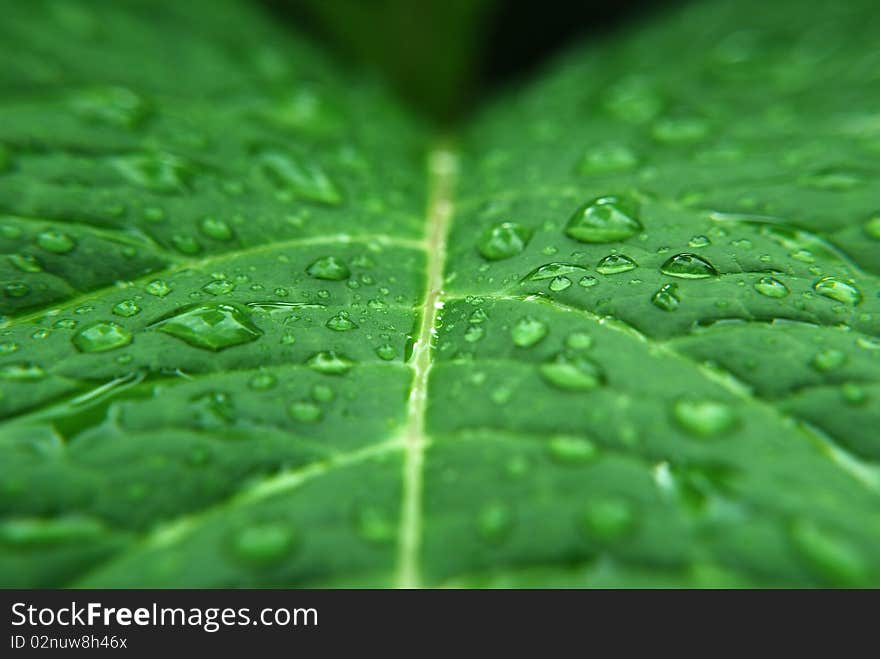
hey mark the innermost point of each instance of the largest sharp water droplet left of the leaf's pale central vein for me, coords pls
(212, 326)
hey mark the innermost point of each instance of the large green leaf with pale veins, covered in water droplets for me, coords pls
(624, 330)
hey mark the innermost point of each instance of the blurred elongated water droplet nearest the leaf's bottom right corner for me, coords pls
(832, 556)
